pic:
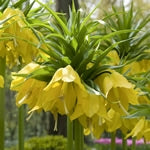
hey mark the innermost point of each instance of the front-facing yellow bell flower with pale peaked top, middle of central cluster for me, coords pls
(59, 95)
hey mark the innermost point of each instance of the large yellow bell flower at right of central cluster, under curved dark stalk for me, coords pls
(118, 91)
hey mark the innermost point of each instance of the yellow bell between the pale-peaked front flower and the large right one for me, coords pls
(88, 104)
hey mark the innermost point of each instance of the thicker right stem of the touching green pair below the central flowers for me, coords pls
(78, 135)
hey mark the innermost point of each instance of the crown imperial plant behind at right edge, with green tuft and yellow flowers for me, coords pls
(134, 54)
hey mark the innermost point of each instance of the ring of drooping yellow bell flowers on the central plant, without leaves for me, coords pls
(66, 94)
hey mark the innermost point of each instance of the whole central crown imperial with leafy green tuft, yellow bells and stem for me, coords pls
(74, 76)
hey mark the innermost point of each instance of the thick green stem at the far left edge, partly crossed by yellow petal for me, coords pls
(2, 105)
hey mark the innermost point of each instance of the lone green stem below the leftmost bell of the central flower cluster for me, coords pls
(21, 128)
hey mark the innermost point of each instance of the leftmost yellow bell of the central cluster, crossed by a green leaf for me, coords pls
(29, 91)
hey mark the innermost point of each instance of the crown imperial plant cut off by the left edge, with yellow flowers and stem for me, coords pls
(16, 47)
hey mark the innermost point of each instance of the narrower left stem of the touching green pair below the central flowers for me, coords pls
(69, 134)
